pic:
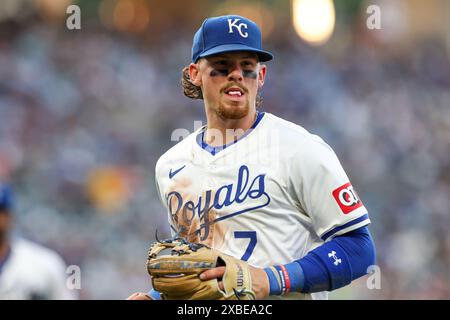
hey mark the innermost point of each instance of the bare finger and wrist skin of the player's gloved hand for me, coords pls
(260, 281)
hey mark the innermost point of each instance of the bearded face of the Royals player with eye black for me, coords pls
(230, 82)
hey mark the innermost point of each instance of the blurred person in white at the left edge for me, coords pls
(28, 271)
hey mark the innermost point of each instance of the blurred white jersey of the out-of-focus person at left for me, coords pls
(33, 272)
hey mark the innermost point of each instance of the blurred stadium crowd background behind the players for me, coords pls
(85, 114)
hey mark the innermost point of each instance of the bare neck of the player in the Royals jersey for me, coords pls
(221, 131)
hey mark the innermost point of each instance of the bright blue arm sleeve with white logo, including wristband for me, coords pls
(331, 266)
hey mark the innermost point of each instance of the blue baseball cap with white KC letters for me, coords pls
(227, 34)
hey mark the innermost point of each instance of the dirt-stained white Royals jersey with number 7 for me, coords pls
(268, 198)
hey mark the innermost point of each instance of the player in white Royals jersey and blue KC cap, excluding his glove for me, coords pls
(258, 187)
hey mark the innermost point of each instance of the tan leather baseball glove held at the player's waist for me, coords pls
(175, 266)
